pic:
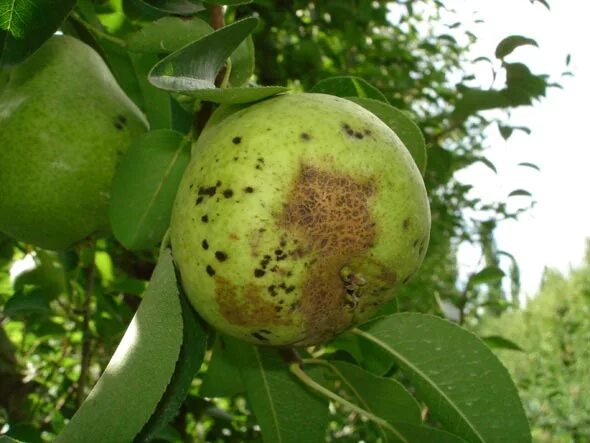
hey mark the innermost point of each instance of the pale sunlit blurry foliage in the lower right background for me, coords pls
(551, 370)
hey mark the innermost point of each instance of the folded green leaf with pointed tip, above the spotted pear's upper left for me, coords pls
(196, 65)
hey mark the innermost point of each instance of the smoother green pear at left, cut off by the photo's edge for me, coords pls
(64, 123)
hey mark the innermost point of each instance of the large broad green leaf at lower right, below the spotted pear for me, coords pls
(464, 384)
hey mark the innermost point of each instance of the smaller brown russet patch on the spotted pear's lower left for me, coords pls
(248, 306)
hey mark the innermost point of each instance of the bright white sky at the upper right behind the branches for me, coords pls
(553, 233)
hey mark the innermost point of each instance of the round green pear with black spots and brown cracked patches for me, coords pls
(297, 218)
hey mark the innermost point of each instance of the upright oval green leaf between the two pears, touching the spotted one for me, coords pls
(145, 185)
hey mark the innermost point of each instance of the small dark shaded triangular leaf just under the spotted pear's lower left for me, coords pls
(222, 378)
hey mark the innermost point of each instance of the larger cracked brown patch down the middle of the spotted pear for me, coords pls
(330, 212)
